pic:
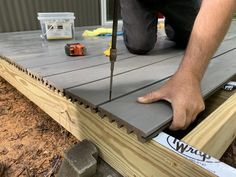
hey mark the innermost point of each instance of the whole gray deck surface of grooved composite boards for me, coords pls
(86, 79)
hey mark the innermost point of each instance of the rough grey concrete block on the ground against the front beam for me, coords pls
(80, 161)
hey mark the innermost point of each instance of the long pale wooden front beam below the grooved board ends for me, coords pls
(122, 151)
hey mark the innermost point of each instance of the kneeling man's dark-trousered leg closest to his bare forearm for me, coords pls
(179, 22)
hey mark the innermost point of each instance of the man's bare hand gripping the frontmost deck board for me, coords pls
(183, 92)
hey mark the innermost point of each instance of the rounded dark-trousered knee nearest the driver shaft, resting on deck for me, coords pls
(141, 44)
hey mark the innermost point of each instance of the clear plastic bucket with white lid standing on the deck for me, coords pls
(57, 25)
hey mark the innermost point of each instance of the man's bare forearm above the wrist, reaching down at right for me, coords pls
(209, 30)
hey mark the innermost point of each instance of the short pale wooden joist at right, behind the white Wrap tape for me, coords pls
(217, 131)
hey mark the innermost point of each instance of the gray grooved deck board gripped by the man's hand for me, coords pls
(145, 120)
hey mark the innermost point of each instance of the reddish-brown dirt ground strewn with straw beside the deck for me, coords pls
(32, 144)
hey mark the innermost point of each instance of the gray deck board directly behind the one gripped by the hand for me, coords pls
(97, 93)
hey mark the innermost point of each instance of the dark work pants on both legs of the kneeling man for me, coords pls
(140, 22)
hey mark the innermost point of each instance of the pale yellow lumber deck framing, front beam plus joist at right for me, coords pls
(121, 150)
